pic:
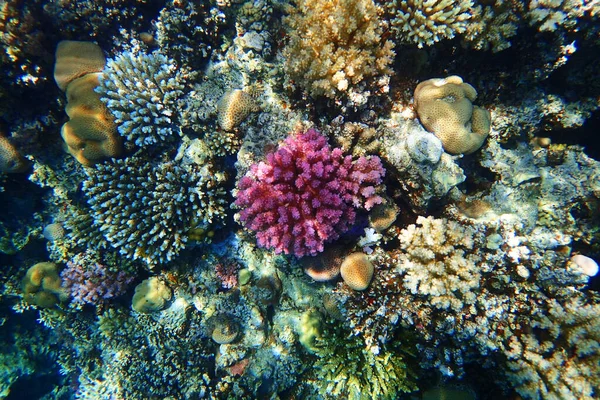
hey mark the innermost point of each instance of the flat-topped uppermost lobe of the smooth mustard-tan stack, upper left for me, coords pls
(75, 59)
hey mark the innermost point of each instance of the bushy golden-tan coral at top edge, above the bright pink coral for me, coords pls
(336, 45)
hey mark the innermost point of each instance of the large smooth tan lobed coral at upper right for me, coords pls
(445, 108)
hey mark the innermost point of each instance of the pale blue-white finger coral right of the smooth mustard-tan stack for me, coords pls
(141, 91)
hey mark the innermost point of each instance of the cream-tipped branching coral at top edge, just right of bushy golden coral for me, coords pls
(425, 22)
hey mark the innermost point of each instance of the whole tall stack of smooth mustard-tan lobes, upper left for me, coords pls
(90, 133)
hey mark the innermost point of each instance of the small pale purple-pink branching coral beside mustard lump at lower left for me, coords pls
(89, 282)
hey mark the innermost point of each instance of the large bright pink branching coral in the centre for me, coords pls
(305, 194)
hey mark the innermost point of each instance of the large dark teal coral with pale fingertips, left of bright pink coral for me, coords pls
(147, 211)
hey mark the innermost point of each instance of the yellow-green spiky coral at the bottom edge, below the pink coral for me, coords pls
(346, 368)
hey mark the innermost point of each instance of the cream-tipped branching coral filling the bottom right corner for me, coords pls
(560, 358)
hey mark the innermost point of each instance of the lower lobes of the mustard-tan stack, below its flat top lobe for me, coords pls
(90, 133)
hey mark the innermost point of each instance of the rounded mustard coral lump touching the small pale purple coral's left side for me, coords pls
(42, 285)
